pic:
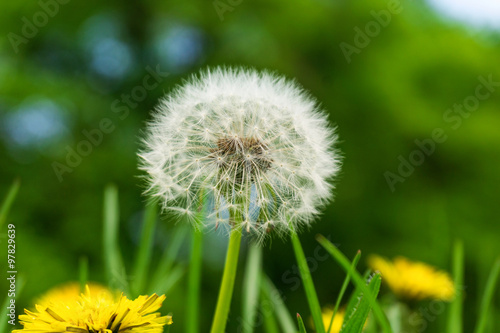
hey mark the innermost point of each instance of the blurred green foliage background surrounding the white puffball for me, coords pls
(58, 81)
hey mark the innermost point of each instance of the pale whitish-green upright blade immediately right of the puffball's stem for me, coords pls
(251, 285)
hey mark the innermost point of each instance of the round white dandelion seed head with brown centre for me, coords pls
(240, 148)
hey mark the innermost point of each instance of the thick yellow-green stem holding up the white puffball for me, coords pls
(228, 277)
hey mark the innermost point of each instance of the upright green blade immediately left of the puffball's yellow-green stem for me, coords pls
(194, 280)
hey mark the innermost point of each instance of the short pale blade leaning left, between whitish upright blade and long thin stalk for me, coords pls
(273, 295)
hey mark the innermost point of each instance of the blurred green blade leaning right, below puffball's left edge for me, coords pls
(143, 259)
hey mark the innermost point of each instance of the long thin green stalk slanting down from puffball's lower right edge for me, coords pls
(312, 297)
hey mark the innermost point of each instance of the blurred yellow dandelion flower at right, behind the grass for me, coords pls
(414, 280)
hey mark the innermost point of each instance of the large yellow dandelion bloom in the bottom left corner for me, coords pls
(96, 312)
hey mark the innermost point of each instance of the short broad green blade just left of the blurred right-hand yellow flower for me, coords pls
(358, 314)
